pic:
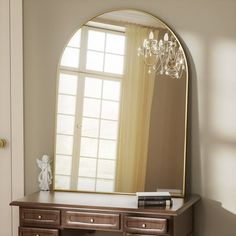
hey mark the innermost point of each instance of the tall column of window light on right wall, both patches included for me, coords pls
(221, 158)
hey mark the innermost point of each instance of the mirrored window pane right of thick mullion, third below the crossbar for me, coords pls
(90, 127)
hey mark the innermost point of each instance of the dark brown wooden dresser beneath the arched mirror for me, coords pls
(49, 213)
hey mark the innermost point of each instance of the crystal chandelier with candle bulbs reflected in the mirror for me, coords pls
(165, 56)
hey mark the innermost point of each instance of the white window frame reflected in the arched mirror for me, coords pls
(81, 72)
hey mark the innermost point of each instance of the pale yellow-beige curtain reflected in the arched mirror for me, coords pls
(136, 105)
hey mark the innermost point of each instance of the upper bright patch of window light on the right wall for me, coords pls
(223, 89)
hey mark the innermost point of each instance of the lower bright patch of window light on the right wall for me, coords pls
(221, 177)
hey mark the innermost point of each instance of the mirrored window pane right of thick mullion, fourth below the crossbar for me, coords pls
(88, 147)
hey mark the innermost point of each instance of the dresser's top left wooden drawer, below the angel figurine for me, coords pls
(39, 217)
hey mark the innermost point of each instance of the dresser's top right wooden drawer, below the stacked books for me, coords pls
(145, 225)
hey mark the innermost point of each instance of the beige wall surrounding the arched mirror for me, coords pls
(208, 30)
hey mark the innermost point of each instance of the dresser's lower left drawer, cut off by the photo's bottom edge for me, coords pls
(37, 232)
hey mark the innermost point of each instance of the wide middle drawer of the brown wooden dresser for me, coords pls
(87, 220)
